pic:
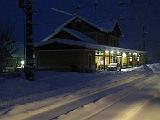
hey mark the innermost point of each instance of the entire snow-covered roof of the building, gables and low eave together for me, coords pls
(86, 41)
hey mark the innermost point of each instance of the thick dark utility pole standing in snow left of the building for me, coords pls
(29, 70)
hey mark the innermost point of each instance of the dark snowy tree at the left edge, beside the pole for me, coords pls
(7, 43)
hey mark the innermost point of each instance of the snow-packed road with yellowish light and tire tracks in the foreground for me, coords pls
(133, 98)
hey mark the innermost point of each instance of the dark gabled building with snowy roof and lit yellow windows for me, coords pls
(79, 45)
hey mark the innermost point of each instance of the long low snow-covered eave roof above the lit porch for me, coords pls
(86, 45)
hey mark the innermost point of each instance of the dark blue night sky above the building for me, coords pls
(136, 14)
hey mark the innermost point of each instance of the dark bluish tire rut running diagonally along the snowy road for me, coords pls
(85, 100)
